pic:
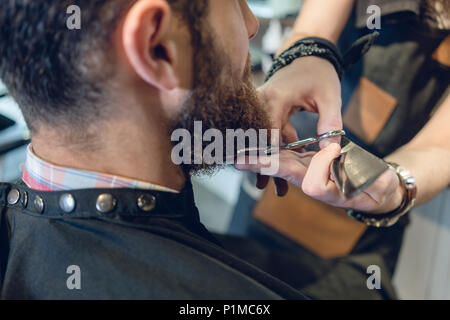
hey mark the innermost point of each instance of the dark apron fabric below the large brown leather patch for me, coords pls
(342, 278)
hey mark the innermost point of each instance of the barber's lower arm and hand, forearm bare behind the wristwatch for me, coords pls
(427, 157)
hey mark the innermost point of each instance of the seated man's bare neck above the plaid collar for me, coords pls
(131, 150)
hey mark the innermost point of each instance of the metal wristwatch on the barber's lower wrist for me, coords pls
(389, 219)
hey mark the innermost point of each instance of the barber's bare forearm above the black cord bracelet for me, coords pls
(321, 18)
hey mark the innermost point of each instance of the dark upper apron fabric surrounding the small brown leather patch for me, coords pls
(401, 64)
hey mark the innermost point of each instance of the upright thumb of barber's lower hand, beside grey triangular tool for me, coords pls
(317, 178)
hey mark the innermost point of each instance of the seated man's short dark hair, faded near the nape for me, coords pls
(59, 76)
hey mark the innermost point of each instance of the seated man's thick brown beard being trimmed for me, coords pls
(220, 99)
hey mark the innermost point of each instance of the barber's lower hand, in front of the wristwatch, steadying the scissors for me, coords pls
(312, 173)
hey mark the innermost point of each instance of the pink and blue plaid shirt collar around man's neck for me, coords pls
(43, 176)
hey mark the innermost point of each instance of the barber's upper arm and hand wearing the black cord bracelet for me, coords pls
(308, 83)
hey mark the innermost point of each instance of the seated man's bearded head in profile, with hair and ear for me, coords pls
(169, 61)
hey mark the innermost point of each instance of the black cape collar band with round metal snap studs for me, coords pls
(106, 203)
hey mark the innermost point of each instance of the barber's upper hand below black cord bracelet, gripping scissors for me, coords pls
(311, 84)
